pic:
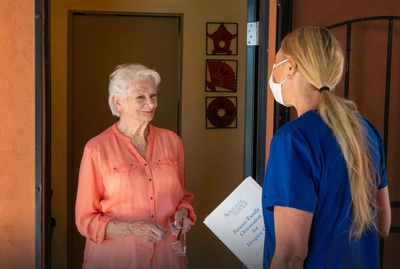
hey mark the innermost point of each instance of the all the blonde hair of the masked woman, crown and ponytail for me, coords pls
(320, 60)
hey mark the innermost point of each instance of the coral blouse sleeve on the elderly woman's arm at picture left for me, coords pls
(90, 221)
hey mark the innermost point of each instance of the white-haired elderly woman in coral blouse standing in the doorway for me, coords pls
(131, 198)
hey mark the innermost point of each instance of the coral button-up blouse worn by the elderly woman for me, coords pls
(116, 182)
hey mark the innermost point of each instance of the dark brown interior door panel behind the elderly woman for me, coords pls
(98, 42)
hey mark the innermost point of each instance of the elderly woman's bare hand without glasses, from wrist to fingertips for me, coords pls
(148, 231)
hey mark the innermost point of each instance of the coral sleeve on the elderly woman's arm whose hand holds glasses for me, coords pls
(188, 197)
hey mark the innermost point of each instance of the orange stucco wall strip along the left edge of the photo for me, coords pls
(17, 149)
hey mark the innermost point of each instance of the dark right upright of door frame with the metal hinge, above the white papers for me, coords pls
(256, 93)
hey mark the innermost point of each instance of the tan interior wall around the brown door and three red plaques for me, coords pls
(214, 158)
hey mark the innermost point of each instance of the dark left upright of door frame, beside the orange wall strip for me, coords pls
(42, 136)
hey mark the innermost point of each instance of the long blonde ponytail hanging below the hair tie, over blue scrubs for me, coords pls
(340, 115)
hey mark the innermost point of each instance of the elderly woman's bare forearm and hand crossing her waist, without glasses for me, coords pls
(147, 231)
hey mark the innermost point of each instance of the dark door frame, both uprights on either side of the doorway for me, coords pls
(254, 126)
